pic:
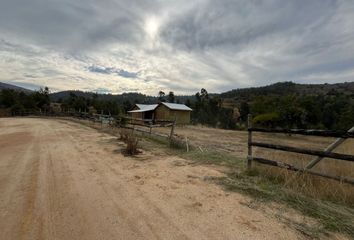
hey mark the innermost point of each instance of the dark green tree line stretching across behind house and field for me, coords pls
(332, 110)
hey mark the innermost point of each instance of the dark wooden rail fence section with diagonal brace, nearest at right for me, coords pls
(326, 153)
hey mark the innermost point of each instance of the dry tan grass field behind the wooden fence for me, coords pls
(234, 145)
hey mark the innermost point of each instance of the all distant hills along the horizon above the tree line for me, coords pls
(230, 97)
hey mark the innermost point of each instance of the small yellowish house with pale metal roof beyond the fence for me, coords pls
(162, 111)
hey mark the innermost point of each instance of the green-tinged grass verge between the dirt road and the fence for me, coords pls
(263, 187)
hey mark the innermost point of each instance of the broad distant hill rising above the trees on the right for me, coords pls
(285, 88)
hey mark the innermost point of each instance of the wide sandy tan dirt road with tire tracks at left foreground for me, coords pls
(62, 180)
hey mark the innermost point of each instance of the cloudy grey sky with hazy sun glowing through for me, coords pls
(116, 46)
